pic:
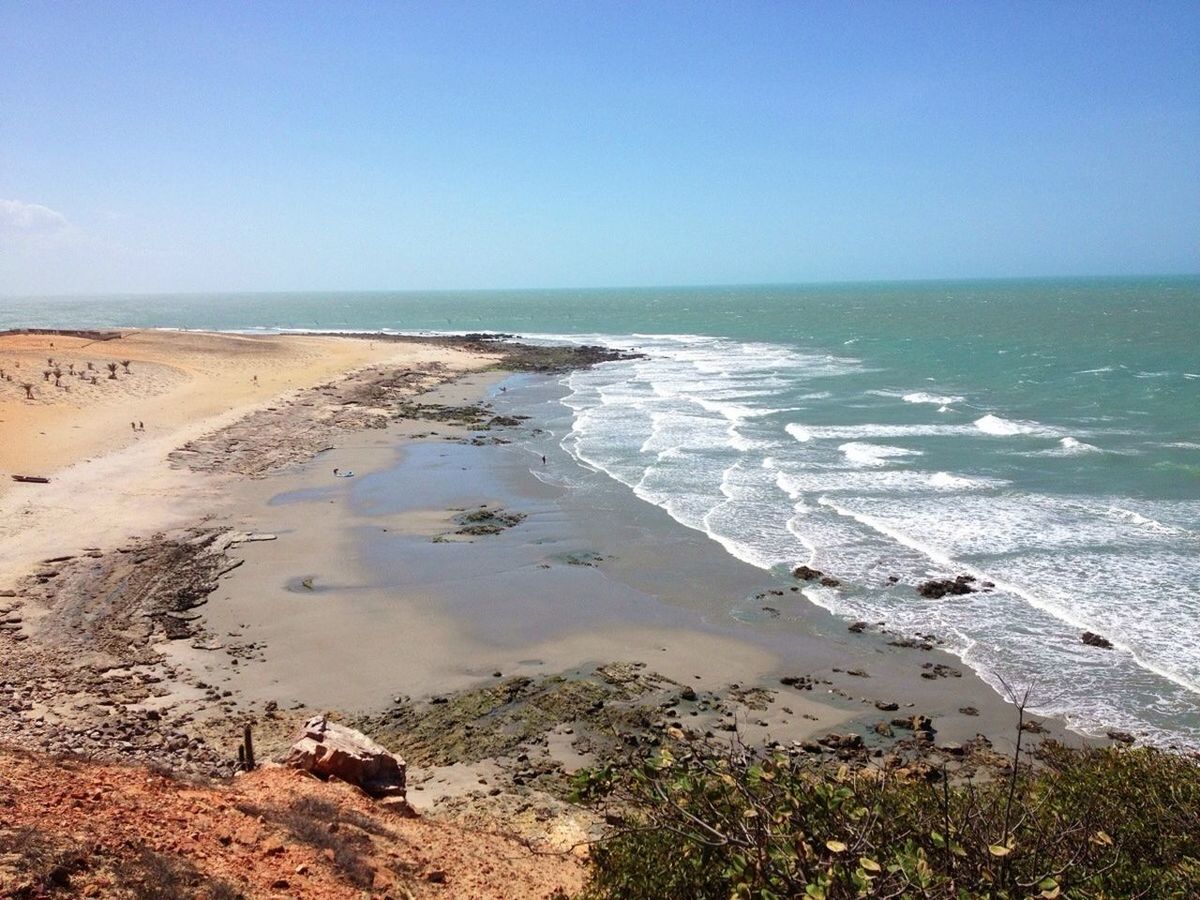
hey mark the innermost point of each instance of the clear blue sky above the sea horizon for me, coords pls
(203, 147)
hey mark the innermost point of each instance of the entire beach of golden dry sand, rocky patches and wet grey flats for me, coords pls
(453, 561)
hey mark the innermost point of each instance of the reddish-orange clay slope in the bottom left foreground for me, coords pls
(106, 831)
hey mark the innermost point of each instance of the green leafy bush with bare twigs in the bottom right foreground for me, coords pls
(695, 823)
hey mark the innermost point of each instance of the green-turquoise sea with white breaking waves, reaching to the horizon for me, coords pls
(1040, 435)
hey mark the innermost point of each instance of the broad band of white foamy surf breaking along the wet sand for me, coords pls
(843, 499)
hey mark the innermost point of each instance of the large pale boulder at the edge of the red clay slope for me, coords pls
(332, 751)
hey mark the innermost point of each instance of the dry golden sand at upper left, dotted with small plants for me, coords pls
(111, 482)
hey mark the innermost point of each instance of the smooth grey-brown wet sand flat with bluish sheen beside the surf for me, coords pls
(369, 595)
